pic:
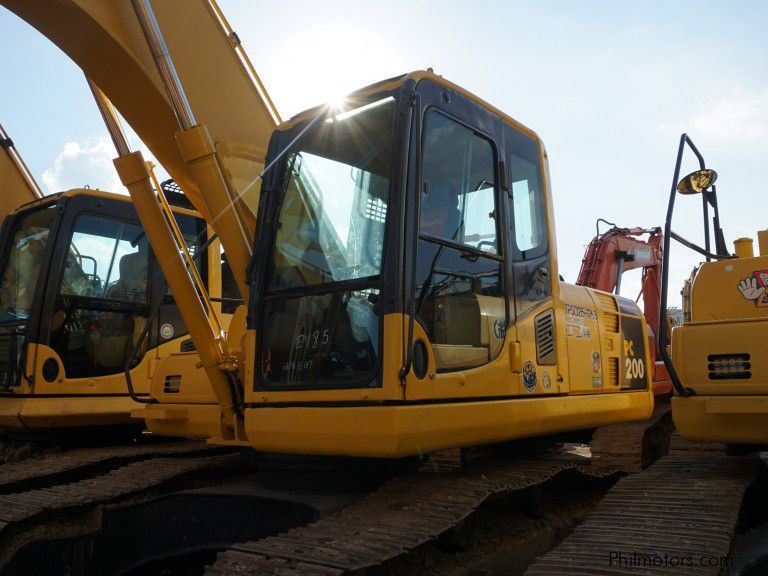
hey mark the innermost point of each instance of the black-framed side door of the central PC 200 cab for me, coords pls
(456, 271)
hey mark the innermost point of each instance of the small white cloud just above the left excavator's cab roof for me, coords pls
(81, 164)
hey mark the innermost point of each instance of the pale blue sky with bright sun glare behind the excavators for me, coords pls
(608, 86)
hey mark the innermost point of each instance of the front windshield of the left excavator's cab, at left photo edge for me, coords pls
(25, 257)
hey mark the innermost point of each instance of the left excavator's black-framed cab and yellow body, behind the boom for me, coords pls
(78, 289)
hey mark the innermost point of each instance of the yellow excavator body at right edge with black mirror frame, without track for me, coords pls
(716, 359)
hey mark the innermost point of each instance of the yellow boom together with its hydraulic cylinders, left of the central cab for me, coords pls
(157, 64)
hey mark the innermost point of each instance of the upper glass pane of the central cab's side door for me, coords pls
(458, 194)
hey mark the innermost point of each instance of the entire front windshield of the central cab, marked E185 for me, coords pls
(320, 324)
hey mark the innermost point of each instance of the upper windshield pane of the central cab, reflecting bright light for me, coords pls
(331, 222)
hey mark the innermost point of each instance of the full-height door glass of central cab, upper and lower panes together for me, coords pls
(460, 298)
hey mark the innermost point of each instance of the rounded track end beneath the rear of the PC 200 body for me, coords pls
(636, 445)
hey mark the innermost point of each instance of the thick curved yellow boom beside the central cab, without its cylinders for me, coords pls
(105, 39)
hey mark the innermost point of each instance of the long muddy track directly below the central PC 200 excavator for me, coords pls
(404, 513)
